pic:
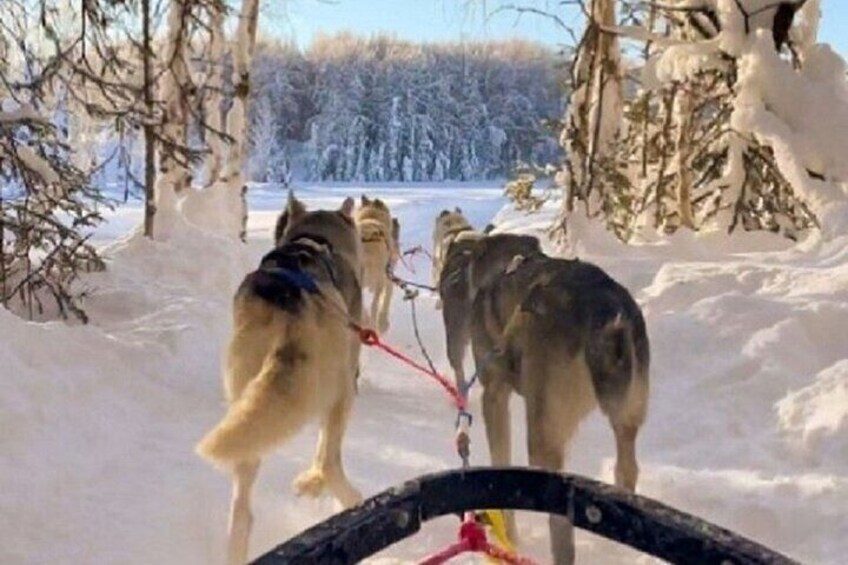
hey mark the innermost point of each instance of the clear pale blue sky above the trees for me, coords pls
(446, 20)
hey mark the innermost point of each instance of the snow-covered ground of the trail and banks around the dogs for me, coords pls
(748, 425)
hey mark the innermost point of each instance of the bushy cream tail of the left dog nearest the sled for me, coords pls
(273, 407)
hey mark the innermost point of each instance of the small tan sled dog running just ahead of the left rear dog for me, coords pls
(379, 234)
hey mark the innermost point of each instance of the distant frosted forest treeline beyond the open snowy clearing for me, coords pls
(350, 108)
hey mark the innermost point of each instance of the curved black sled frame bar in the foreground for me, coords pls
(642, 523)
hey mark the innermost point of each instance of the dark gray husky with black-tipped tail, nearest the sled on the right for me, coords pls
(566, 337)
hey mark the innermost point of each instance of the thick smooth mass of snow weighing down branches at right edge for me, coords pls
(803, 115)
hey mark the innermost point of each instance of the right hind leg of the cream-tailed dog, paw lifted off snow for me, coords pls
(327, 469)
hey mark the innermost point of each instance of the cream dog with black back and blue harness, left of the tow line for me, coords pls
(291, 358)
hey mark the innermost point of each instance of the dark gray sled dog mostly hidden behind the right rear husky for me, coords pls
(469, 265)
